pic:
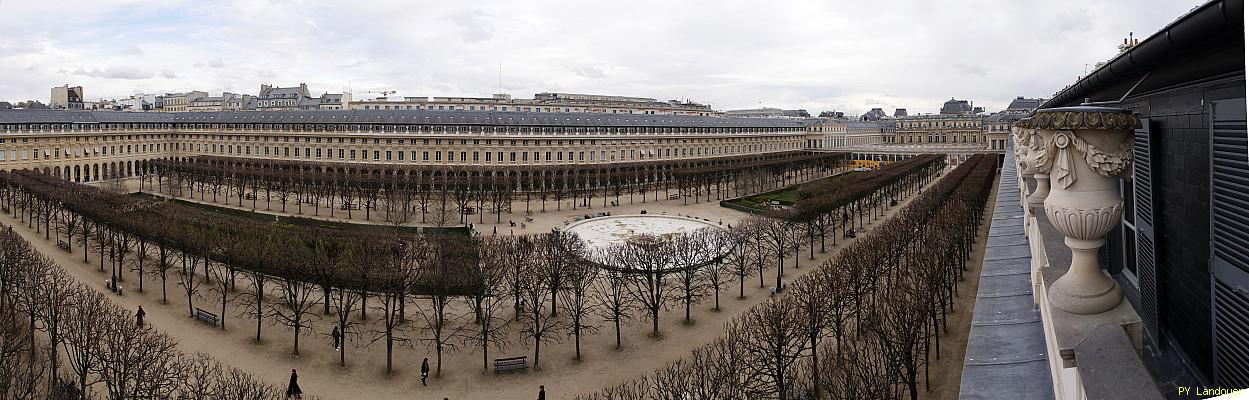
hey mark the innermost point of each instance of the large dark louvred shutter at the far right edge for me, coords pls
(1230, 246)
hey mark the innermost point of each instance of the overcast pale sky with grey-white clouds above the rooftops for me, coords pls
(816, 56)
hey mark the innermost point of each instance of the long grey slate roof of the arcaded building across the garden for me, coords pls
(394, 117)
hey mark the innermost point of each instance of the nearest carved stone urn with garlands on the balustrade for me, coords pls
(1085, 151)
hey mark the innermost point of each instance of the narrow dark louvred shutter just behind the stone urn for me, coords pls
(1143, 194)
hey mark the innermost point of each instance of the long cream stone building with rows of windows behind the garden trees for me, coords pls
(88, 147)
